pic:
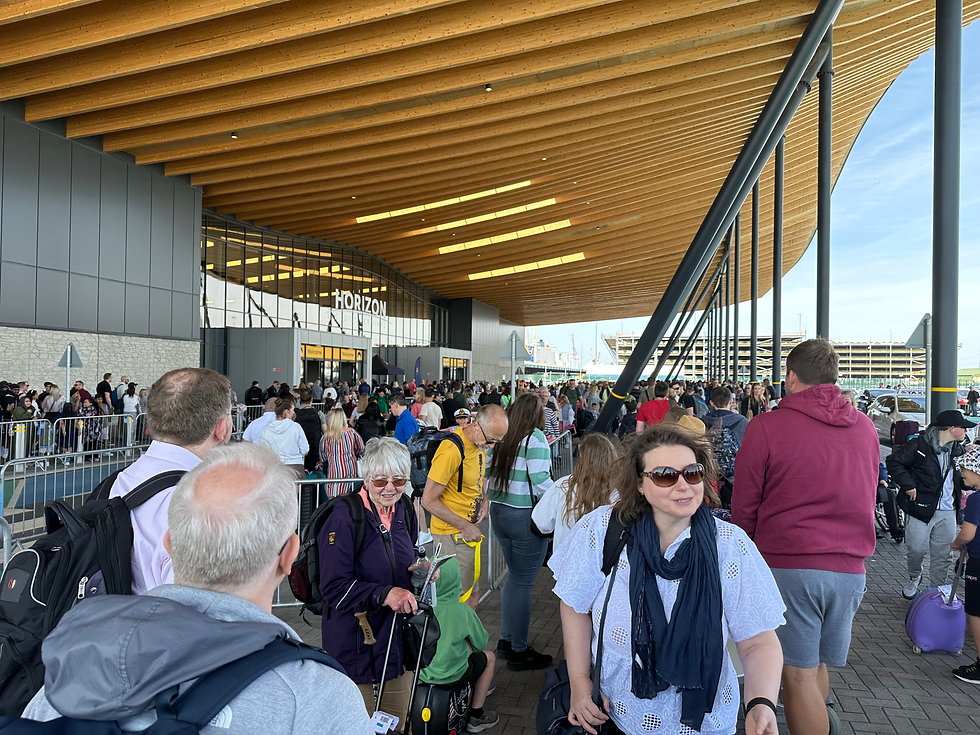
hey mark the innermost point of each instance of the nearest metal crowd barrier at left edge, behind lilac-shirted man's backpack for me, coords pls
(29, 484)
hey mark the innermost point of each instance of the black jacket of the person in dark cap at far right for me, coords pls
(915, 465)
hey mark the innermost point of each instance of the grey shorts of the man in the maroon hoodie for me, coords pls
(820, 608)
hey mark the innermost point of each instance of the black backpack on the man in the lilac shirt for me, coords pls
(84, 552)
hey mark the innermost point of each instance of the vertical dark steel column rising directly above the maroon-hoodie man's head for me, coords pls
(824, 186)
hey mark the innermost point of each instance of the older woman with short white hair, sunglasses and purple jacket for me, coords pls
(376, 582)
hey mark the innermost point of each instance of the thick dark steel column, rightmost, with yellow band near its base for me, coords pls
(946, 204)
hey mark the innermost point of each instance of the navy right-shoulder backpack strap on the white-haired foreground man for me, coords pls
(212, 692)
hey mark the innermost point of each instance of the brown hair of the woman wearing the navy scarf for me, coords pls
(632, 504)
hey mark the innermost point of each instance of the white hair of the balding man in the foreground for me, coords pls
(223, 546)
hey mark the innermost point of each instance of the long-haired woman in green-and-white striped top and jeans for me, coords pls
(519, 472)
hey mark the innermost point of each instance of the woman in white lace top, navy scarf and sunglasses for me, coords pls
(685, 583)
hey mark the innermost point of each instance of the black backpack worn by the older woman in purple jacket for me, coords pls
(304, 577)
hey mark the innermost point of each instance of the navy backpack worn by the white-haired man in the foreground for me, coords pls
(190, 712)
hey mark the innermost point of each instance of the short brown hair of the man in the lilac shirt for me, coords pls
(185, 405)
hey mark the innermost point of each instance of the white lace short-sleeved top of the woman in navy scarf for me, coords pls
(750, 600)
